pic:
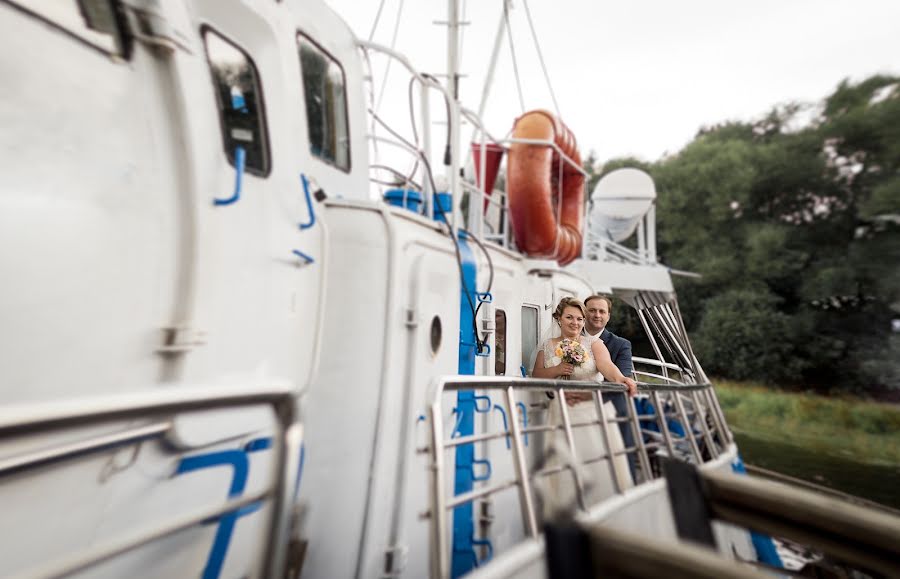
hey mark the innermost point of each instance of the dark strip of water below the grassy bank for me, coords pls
(875, 482)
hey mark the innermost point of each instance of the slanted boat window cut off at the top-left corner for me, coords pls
(92, 21)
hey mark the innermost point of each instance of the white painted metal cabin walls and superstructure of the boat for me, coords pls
(122, 278)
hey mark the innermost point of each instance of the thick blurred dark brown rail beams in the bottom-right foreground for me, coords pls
(850, 535)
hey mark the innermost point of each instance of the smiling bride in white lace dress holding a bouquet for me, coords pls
(598, 367)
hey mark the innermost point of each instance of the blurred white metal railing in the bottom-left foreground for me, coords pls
(158, 410)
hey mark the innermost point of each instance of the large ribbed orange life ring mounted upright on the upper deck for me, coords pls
(537, 179)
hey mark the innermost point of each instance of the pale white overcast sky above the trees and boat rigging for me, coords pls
(639, 77)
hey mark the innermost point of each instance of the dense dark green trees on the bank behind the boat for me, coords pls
(795, 227)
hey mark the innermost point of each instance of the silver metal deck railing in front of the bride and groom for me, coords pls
(440, 503)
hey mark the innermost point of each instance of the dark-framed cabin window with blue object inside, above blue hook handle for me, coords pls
(239, 98)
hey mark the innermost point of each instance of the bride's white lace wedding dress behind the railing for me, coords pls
(596, 476)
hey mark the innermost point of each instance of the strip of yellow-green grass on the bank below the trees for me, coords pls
(866, 431)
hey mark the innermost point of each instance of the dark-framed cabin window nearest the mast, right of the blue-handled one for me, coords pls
(326, 104)
